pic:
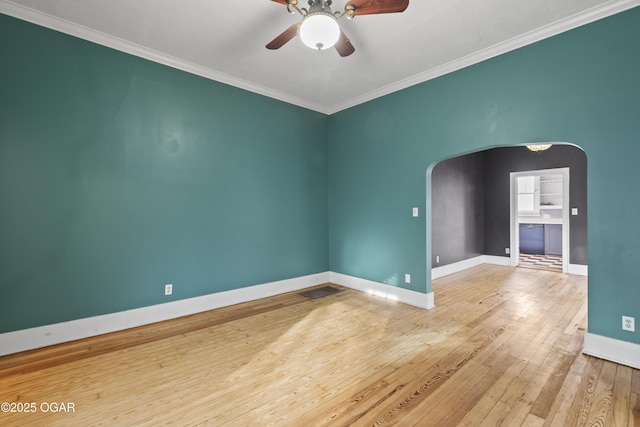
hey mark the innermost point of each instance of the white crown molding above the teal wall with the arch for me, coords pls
(574, 21)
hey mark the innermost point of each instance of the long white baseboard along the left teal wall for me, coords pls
(41, 336)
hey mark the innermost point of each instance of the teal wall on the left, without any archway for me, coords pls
(118, 175)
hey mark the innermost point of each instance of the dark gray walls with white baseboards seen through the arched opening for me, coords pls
(469, 199)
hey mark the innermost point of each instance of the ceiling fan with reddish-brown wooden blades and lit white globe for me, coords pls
(319, 28)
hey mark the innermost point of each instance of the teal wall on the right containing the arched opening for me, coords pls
(581, 87)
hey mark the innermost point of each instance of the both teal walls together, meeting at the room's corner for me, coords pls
(118, 175)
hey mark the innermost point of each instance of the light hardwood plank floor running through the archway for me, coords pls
(502, 347)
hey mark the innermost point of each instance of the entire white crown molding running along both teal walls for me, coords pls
(577, 20)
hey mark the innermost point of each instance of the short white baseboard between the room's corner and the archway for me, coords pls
(406, 296)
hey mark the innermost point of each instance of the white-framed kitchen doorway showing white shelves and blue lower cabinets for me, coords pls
(540, 219)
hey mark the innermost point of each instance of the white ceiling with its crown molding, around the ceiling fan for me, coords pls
(225, 40)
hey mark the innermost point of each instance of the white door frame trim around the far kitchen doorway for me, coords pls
(514, 229)
